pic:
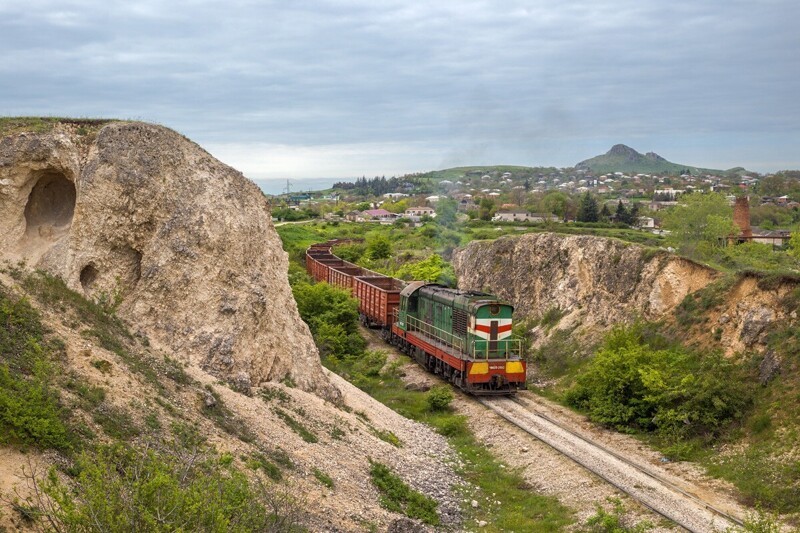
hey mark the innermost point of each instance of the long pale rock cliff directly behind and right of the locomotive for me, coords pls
(594, 281)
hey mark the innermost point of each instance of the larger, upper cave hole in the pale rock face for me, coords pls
(51, 203)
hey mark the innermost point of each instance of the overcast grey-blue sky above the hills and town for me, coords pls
(294, 88)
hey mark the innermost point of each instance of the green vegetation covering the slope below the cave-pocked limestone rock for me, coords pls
(118, 469)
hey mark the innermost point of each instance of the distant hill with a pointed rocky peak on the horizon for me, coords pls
(623, 158)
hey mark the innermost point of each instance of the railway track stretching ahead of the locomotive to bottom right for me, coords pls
(641, 482)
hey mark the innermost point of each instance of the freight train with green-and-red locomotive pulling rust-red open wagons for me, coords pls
(463, 336)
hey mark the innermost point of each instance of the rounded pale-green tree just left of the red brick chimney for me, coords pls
(700, 219)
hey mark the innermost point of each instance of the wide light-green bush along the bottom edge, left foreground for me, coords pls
(122, 489)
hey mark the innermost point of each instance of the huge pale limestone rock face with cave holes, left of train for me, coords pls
(184, 244)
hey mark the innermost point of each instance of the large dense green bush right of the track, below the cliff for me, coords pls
(631, 385)
